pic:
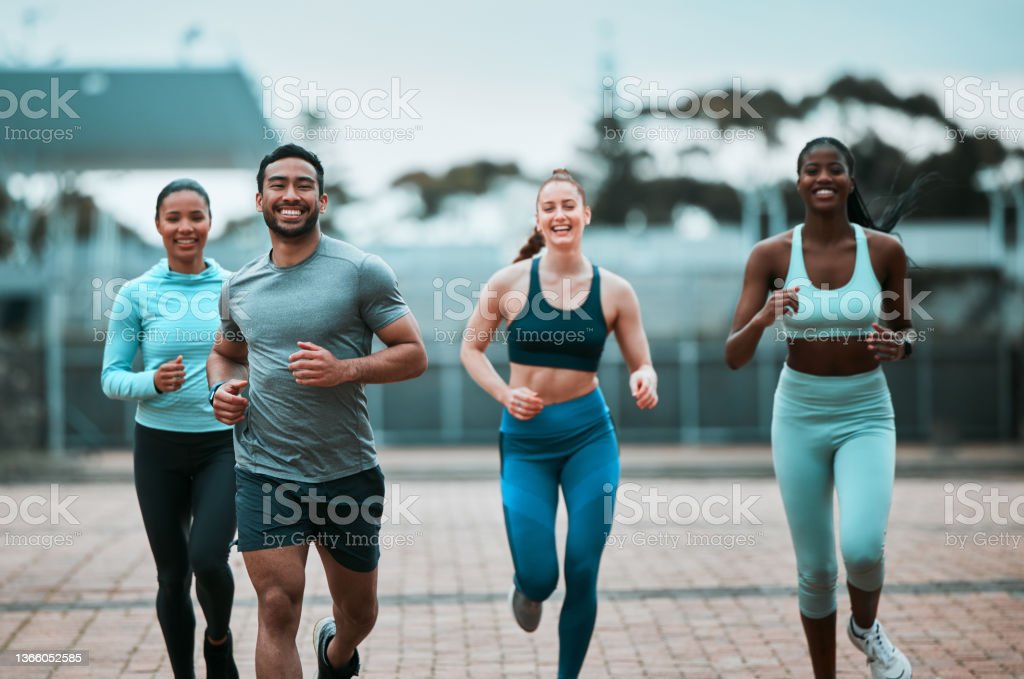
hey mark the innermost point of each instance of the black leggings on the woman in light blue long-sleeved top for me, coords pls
(186, 488)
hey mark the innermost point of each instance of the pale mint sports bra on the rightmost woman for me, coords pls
(833, 314)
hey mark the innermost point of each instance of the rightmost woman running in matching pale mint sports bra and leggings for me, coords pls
(833, 280)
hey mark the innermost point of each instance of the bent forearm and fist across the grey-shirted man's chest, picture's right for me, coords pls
(403, 359)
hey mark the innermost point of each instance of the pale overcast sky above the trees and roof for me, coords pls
(516, 81)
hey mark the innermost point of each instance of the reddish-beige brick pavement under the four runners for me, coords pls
(677, 601)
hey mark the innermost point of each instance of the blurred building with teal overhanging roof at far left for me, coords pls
(66, 122)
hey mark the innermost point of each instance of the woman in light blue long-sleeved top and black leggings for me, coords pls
(184, 457)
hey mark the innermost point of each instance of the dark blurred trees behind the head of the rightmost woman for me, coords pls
(883, 172)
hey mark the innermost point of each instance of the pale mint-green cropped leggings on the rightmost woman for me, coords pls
(835, 432)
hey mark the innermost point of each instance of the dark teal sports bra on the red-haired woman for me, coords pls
(543, 335)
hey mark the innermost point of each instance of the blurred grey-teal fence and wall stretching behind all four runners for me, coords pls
(964, 384)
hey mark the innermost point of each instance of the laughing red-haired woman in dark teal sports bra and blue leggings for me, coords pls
(556, 429)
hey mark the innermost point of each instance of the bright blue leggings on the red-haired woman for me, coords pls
(572, 445)
